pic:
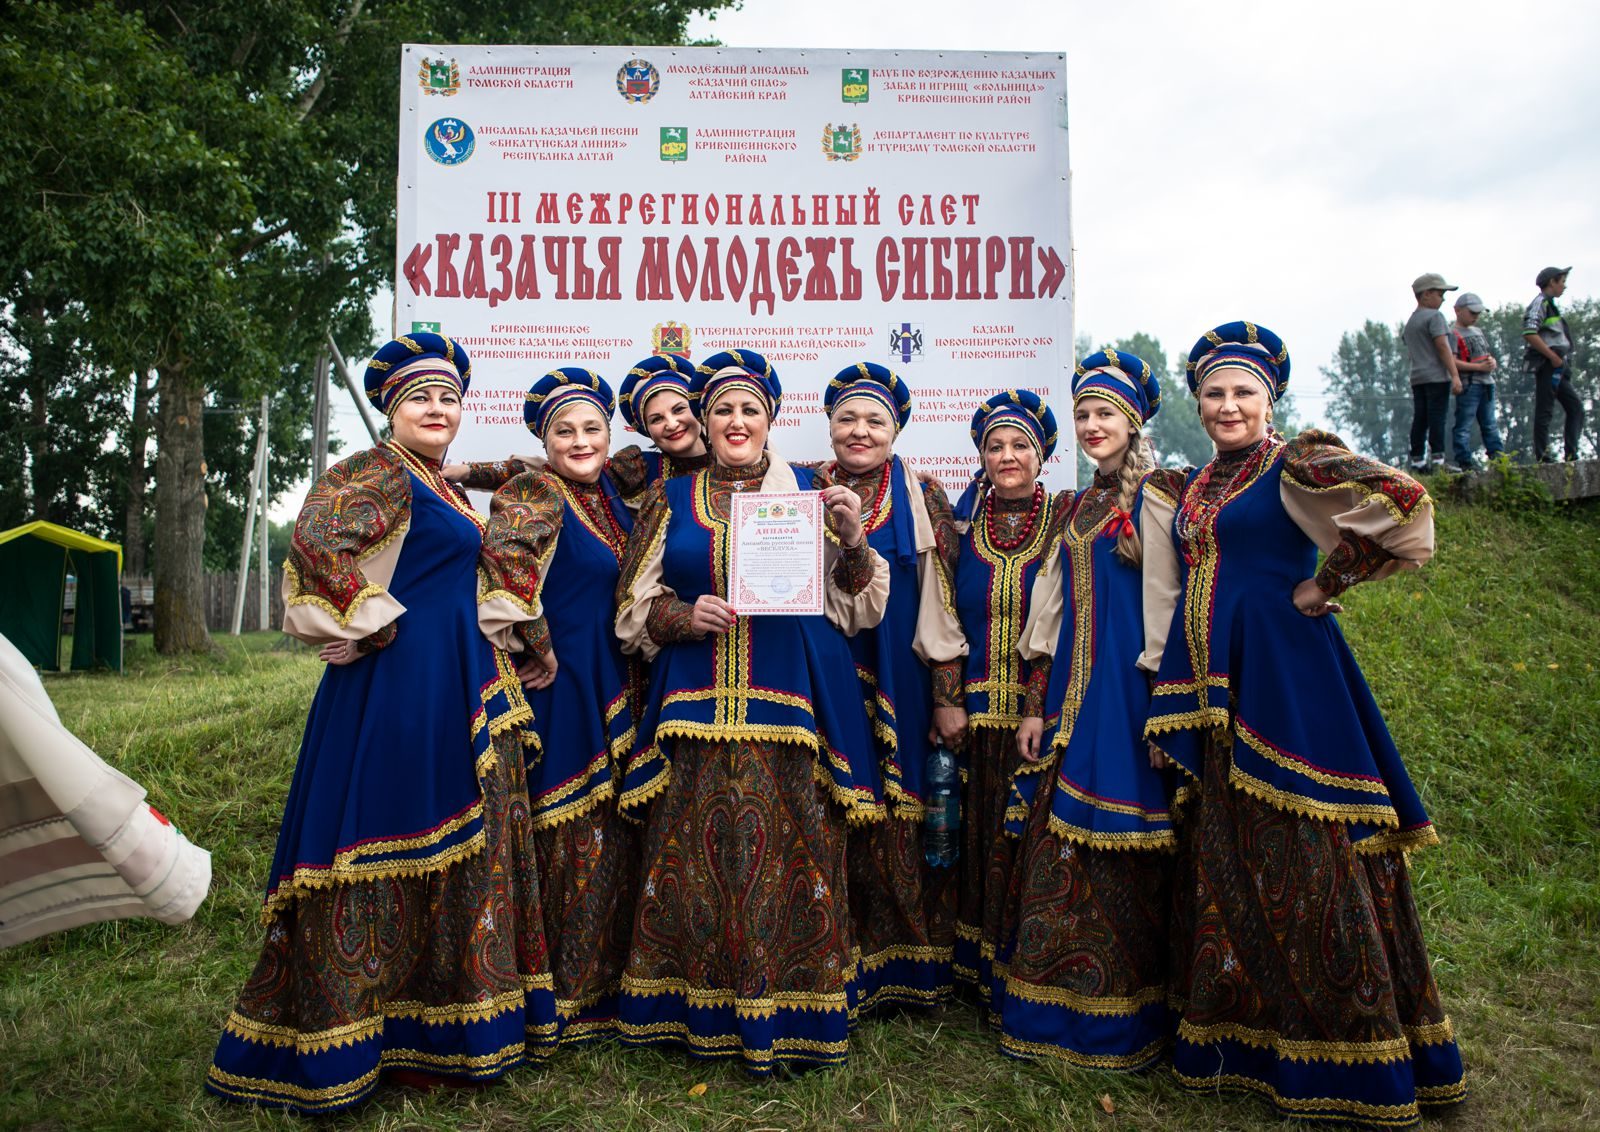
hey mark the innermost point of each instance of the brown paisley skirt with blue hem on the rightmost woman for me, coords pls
(1298, 967)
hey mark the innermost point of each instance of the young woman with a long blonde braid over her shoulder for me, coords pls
(1081, 975)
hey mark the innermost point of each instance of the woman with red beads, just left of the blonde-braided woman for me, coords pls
(1010, 524)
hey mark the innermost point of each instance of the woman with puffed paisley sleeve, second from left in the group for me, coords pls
(548, 584)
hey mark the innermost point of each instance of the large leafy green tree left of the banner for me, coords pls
(212, 194)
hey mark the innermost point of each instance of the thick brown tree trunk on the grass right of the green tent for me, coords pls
(180, 512)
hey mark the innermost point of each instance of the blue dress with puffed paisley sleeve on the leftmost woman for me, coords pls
(404, 925)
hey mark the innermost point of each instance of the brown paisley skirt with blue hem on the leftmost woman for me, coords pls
(446, 973)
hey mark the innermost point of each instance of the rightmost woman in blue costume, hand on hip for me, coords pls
(1300, 970)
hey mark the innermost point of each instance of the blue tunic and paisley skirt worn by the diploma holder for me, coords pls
(759, 747)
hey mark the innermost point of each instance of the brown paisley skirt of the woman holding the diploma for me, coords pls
(743, 944)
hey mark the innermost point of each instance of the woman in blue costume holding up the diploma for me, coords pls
(756, 739)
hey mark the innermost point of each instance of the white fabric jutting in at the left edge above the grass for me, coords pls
(78, 842)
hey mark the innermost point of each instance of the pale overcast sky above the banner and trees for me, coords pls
(1290, 164)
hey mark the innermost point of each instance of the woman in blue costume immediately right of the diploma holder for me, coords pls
(911, 672)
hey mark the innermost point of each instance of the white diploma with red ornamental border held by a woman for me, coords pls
(777, 560)
